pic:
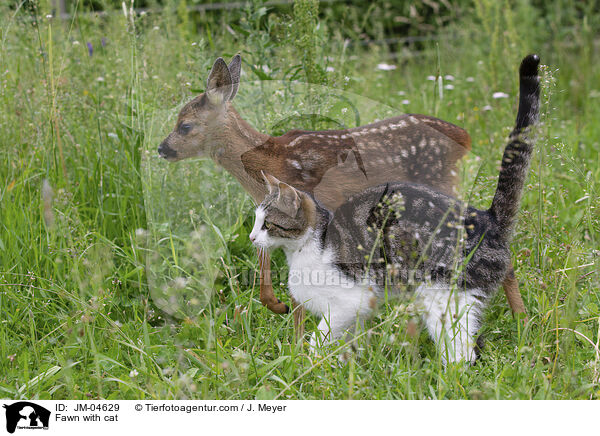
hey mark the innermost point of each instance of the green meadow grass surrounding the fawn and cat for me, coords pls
(106, 290)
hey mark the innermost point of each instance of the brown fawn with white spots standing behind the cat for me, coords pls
(332, 165)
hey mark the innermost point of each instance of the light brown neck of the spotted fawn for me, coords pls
(238, 137)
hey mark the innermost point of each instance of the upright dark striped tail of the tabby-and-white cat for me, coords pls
(517, 155)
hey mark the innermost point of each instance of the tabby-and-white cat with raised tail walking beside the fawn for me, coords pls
(403, 237)
